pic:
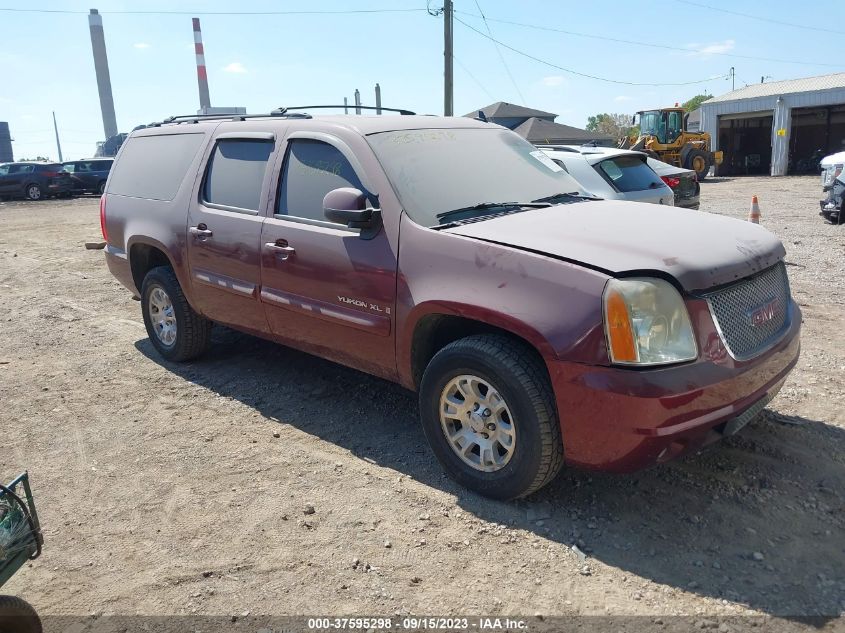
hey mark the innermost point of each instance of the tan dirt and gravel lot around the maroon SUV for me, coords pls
(164, 489)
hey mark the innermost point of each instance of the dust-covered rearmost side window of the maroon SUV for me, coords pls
(154, 167)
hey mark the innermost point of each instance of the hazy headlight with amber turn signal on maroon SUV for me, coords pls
(646, 323)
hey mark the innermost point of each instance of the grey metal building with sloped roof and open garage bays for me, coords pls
(778, 128)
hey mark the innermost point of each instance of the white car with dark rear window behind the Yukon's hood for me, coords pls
(612, 174)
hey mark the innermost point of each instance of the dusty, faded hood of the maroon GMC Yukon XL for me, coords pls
(698, 249)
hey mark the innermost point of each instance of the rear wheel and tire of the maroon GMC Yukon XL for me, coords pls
(177, 332)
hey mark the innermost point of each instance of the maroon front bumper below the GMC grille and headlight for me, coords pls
(623, 420)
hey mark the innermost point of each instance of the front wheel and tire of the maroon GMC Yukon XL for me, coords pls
(520, 379)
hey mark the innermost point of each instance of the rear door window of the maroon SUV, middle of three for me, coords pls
(236, 173)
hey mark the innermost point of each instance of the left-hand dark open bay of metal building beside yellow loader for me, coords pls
(746, 140)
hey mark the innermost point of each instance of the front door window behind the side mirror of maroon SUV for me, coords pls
(312, 169)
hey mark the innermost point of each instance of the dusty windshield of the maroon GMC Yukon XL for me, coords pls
(437, 171)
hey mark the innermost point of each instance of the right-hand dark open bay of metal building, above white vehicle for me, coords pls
(816, 132)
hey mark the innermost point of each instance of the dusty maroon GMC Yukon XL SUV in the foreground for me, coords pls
(451, 256)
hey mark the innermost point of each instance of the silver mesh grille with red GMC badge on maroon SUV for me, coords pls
(752, 314)
